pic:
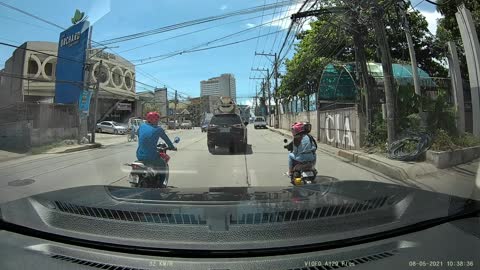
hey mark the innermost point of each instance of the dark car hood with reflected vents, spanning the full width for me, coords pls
(231, 218)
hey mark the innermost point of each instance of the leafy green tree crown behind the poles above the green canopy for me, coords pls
(329, 40)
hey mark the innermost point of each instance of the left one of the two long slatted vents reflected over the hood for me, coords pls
(132, 216)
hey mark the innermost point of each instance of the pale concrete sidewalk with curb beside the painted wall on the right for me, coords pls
(458, 180)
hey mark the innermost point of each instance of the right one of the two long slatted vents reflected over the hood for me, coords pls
(309, 214)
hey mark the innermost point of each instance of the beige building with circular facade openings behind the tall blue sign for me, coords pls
(29, 76)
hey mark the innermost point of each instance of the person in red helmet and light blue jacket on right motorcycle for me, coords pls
(304, 146)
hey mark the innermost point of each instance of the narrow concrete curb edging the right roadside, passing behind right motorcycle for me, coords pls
(369, 162)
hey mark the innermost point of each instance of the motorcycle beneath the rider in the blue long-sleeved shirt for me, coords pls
(149, 176)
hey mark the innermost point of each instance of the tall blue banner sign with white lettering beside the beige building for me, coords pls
(72, 51)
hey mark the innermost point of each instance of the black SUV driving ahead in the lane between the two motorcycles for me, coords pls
(227, 130)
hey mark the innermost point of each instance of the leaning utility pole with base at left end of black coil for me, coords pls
(387, 70)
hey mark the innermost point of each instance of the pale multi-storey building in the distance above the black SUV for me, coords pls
(224, 85)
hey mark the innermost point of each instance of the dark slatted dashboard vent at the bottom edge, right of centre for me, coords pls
(328, 265)
